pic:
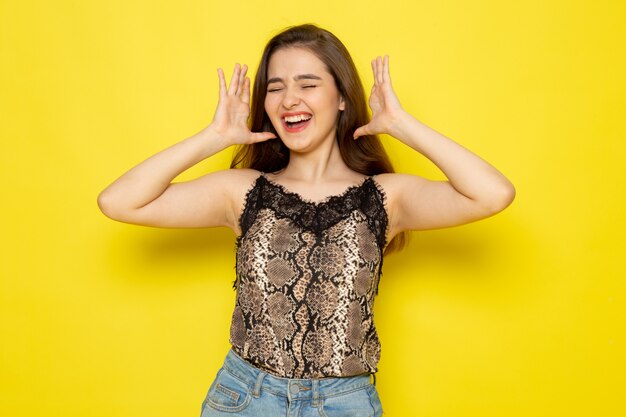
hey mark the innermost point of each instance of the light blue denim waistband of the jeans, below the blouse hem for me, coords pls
(292, 388)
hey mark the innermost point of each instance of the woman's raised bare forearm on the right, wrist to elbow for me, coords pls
(469, 174)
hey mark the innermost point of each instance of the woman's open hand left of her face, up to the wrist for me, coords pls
(230, 122)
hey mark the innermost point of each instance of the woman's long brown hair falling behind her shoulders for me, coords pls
(365, 155)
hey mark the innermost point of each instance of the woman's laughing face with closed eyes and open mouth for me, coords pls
(302, 100)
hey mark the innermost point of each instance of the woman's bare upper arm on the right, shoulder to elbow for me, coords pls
(416, 203)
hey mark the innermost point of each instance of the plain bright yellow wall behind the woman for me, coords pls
(518, 315)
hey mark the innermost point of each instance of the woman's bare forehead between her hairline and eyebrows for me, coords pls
(293, 61)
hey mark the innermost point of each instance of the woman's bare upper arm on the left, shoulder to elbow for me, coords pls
(208, 201)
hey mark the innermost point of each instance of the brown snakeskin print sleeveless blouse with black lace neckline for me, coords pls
(307, 274)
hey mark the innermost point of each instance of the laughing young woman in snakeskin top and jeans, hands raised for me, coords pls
(314, 203)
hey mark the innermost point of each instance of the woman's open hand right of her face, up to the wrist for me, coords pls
(386, 108)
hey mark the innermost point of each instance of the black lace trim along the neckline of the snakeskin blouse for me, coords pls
(367, 197)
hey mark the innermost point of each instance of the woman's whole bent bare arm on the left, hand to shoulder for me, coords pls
(146, 194)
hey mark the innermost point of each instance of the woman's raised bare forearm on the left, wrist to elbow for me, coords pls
(149, 179)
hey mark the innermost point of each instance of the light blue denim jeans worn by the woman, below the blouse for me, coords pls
(241, 389)
